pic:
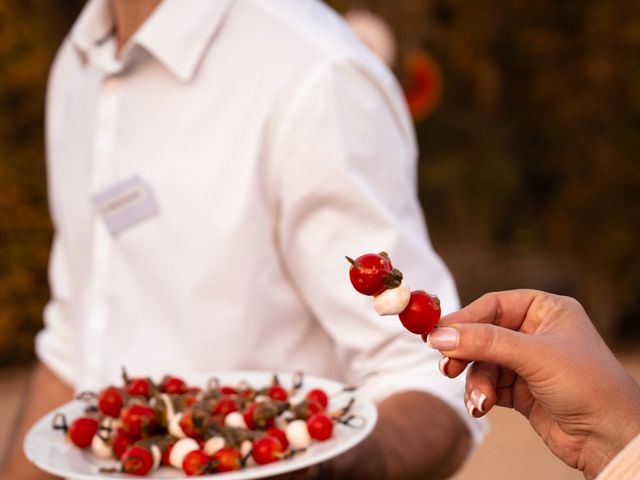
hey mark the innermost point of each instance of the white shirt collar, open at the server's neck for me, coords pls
(177, 33)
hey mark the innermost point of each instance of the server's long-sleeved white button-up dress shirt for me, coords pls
(274, 144)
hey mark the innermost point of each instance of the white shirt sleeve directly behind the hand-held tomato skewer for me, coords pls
(345, 161)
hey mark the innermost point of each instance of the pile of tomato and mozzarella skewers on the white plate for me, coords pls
(219, 428)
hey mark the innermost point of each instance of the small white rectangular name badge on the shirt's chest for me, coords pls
(125, 204)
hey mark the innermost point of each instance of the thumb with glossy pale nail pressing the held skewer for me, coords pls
(486, 343)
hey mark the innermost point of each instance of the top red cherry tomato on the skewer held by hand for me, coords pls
(372, 273)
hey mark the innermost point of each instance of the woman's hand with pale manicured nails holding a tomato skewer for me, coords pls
(540, 354)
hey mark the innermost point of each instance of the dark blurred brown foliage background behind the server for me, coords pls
(529, 173)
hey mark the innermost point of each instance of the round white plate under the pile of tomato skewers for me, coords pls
(49, 450)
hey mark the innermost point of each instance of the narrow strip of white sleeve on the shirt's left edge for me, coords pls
(55, 343)
